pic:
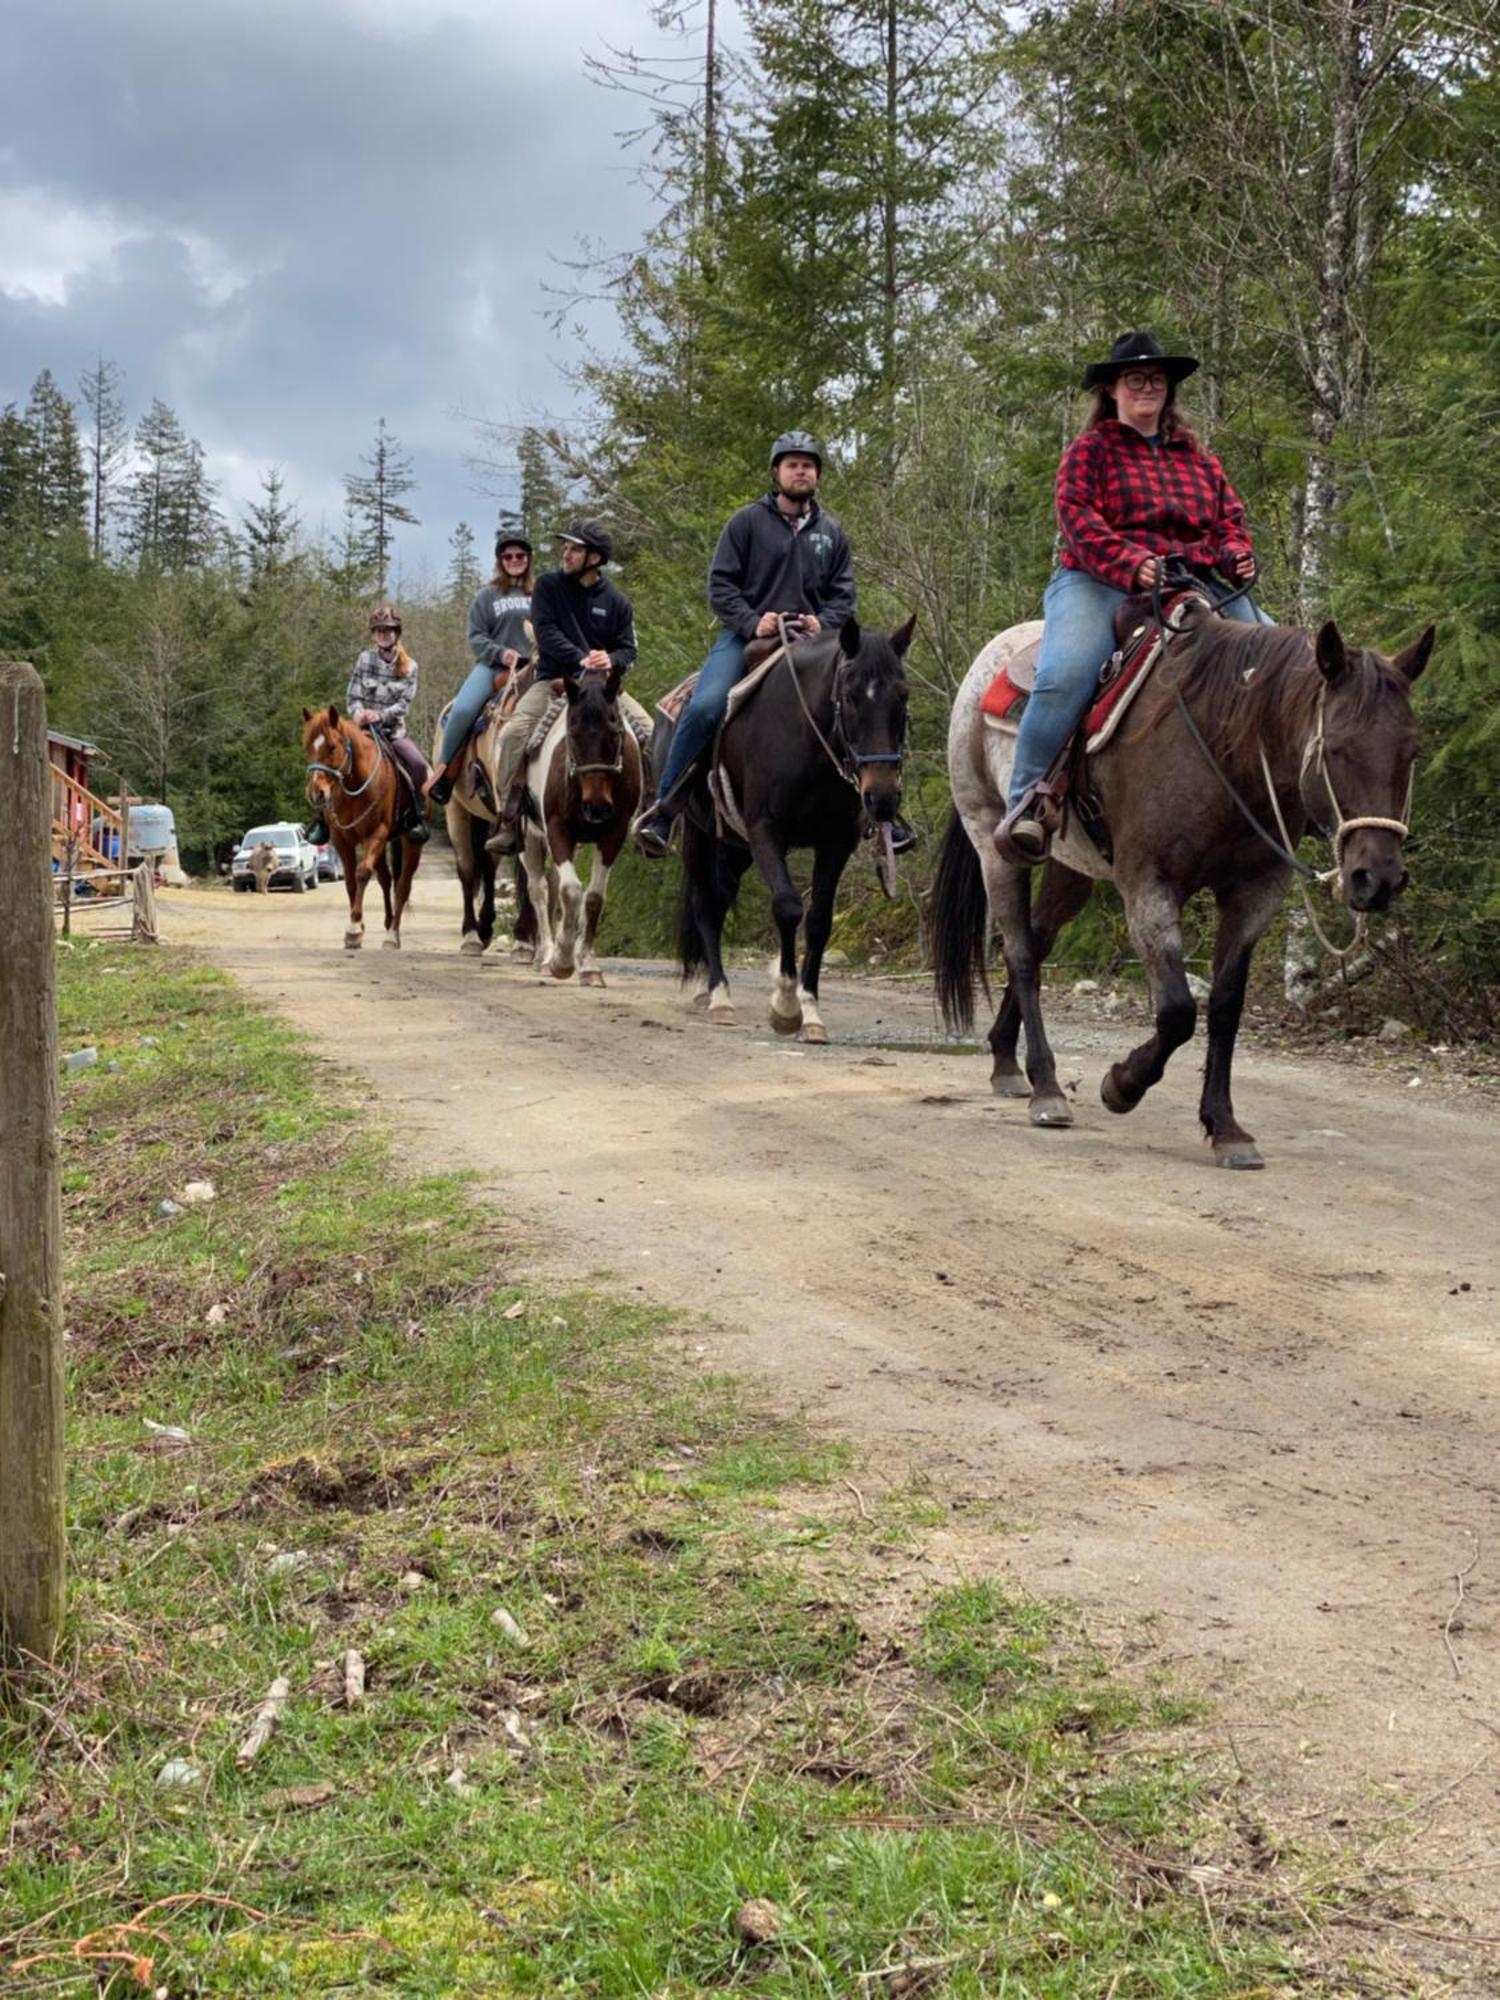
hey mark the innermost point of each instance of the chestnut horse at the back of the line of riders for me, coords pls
(355, 785)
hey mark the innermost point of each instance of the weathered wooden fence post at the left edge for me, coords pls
(31, 1201)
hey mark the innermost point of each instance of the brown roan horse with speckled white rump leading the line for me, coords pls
(1243, 739)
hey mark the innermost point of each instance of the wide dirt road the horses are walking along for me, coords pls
(1261, 1409)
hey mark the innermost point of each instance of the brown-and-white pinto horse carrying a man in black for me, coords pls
(583, 789)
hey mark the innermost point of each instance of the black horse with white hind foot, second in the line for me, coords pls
(807, 763)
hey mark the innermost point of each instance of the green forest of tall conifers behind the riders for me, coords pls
(903, 225)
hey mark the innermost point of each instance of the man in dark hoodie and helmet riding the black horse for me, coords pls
(781, 557)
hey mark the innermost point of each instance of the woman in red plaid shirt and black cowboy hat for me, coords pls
(1135, 487)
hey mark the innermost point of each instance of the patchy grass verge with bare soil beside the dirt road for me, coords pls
(637, 1657)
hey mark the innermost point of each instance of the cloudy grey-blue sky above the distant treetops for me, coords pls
(295, 217)
